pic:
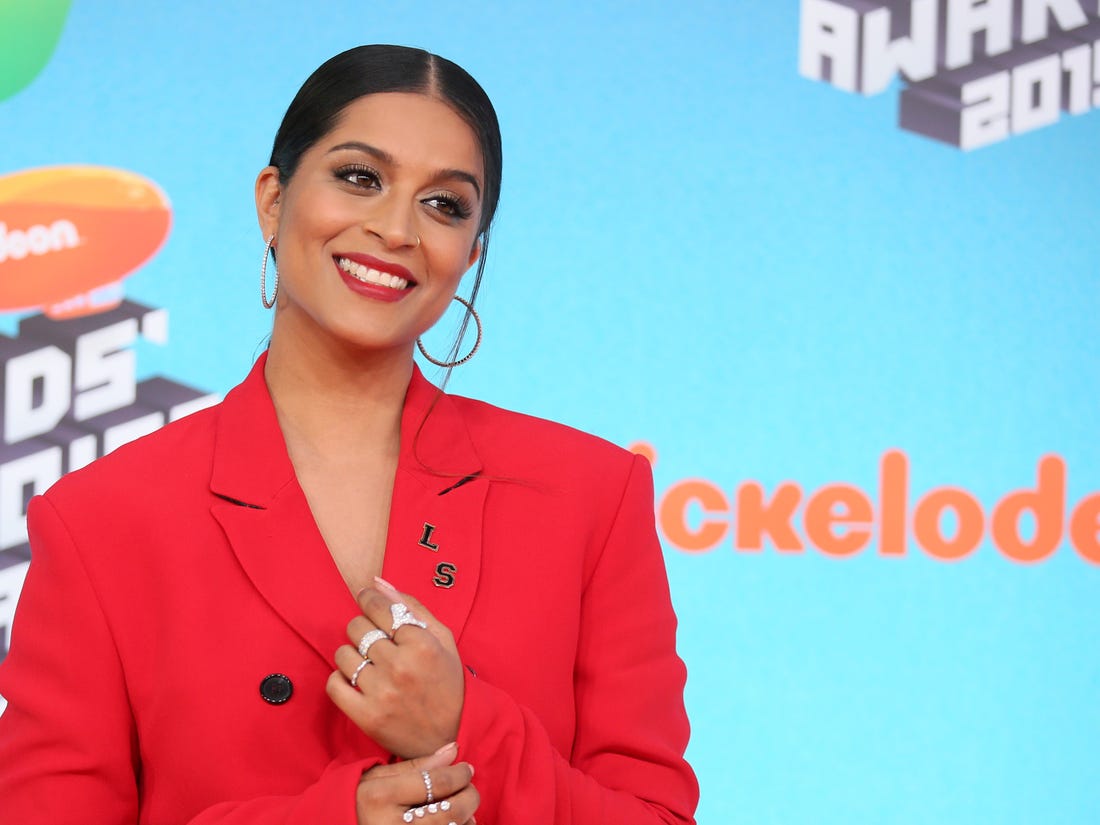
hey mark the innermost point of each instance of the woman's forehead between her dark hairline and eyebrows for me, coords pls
(414, 129)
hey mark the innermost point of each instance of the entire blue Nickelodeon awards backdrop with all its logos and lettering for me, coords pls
(834, 267)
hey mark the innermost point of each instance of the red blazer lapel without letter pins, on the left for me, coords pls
(268, 522)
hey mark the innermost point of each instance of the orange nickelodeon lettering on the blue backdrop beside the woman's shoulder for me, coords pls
(948, 523)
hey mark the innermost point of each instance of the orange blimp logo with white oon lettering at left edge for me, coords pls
(69, 236)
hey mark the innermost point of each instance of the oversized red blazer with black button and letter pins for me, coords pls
(172, 577)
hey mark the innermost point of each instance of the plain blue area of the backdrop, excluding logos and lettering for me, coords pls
(760, 276)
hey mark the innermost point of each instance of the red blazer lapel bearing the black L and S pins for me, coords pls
(434, 547)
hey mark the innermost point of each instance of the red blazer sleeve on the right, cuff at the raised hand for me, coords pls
(628, 762)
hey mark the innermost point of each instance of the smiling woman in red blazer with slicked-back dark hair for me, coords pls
(511, 652)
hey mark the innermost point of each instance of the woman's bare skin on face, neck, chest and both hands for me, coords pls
(409, 193)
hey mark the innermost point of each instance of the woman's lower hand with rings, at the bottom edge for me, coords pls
(388, 791)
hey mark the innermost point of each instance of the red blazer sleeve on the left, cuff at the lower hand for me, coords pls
(69, 744)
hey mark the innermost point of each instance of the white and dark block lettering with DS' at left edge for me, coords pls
(70, 395)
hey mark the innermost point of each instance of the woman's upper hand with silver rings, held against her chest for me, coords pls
(410, 698)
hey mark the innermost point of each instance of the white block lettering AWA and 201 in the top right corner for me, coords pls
(978, 71)
